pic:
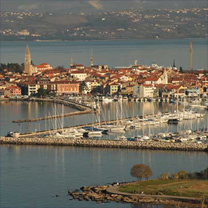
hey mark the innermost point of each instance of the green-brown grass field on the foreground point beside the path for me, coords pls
(186, 188)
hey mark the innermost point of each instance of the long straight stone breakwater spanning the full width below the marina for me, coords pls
(153, 145)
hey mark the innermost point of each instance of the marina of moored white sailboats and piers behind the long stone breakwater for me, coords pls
(120, 128)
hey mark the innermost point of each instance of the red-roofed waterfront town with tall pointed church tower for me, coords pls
(132, 82)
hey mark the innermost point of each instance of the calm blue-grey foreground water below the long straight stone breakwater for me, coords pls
(31, 176)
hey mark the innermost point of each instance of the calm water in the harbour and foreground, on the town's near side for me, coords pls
(31, 176)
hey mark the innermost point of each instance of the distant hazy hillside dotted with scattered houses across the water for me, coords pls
(126, 24)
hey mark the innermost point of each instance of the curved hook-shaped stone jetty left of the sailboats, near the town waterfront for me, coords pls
(82, 109)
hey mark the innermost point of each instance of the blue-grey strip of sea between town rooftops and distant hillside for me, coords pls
(112, 53)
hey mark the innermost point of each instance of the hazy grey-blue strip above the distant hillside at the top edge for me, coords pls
(87, 6)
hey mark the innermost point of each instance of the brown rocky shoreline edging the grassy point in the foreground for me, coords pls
(105, 194)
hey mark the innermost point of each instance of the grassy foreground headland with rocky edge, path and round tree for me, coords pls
(180, 189)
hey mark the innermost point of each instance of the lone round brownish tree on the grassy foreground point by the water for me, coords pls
(141, 171)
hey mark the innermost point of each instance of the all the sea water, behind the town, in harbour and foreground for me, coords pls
(40, 176)
